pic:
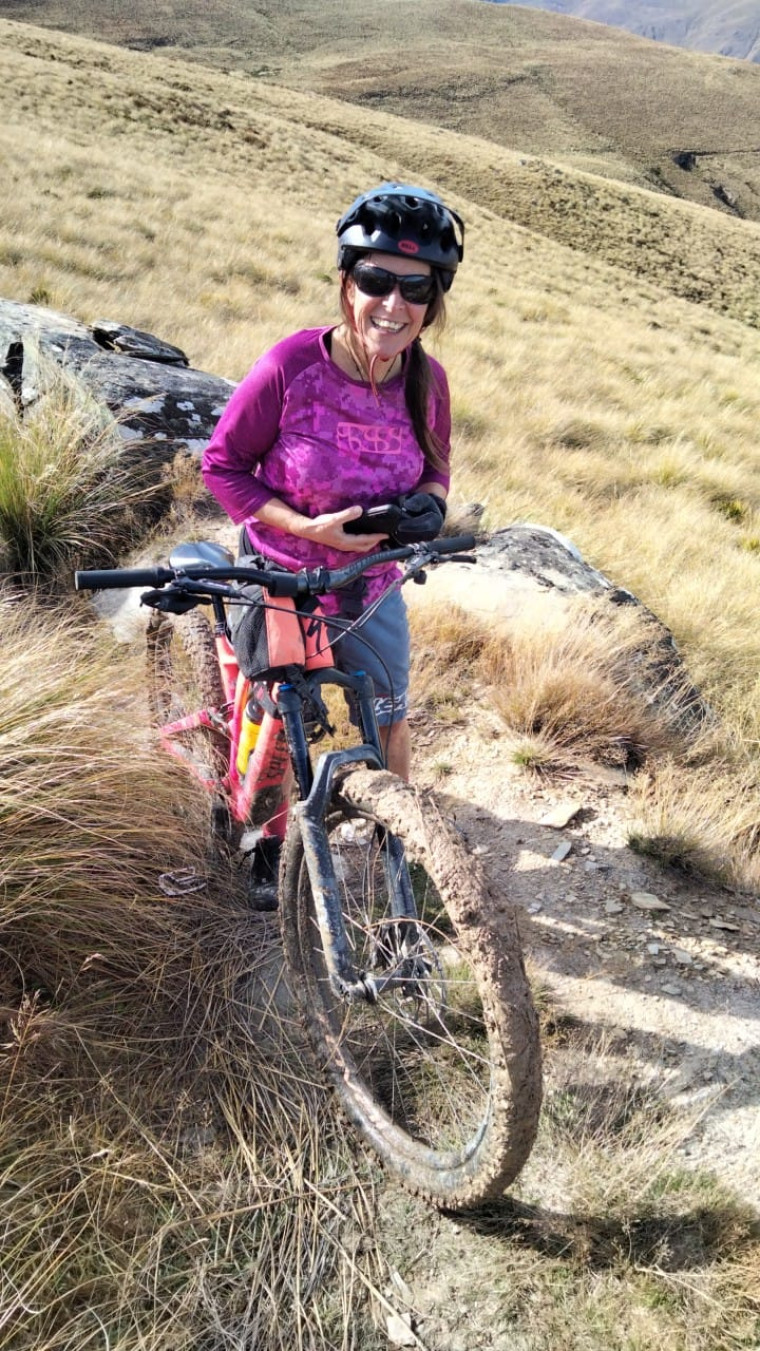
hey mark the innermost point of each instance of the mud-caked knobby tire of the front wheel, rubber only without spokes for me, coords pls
(487, 932)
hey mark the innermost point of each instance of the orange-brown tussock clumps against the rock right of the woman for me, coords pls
(605, 687)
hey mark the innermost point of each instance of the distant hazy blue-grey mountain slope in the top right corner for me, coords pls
(730, 30)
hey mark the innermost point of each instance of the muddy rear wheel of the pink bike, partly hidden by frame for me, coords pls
(183, 678)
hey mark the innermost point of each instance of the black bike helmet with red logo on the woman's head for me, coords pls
(406, 221)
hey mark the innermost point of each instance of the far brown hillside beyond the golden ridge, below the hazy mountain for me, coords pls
(592, 97)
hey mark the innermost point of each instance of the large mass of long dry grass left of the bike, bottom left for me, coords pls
(169, 1173)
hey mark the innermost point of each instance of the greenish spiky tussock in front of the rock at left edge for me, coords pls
(70, 496)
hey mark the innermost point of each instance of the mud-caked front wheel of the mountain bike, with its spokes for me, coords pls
(442, 1077)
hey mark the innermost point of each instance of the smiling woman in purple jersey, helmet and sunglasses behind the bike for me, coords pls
(334, 421)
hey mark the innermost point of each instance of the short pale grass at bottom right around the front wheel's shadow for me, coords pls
(607, 1242)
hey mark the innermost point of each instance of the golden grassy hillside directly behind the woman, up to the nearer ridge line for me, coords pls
(587, 397)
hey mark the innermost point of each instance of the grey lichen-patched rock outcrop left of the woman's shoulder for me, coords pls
(148, 384)
